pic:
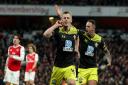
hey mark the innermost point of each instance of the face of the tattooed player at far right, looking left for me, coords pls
(90, 28)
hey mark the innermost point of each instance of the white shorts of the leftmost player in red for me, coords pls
(12, 76)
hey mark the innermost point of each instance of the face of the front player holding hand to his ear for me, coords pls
(67, 19)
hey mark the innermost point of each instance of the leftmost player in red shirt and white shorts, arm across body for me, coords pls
(16, 54)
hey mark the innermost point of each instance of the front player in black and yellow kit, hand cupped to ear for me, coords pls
(66, 39)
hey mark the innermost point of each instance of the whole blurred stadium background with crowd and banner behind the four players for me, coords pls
(30, 18)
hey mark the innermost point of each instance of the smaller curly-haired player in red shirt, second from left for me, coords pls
(31, 62)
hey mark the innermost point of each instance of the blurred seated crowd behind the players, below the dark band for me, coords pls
(116, 74)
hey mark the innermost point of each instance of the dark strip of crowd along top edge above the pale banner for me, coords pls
(69, 2)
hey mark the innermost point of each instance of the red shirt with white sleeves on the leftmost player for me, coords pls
(18, 53)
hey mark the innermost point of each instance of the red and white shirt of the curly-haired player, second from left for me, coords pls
(31, 59)
